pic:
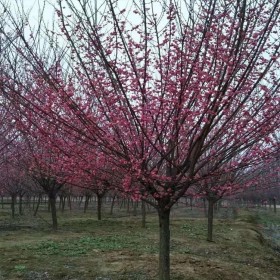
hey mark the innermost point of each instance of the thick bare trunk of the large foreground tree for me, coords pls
(164, 244)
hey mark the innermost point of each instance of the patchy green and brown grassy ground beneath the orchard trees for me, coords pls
(117, 248)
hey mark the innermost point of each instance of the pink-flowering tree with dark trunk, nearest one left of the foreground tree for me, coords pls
(46, 164)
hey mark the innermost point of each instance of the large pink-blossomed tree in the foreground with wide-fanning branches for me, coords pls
(163, 89)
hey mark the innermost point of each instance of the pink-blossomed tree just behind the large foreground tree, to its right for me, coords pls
(221, 176)
